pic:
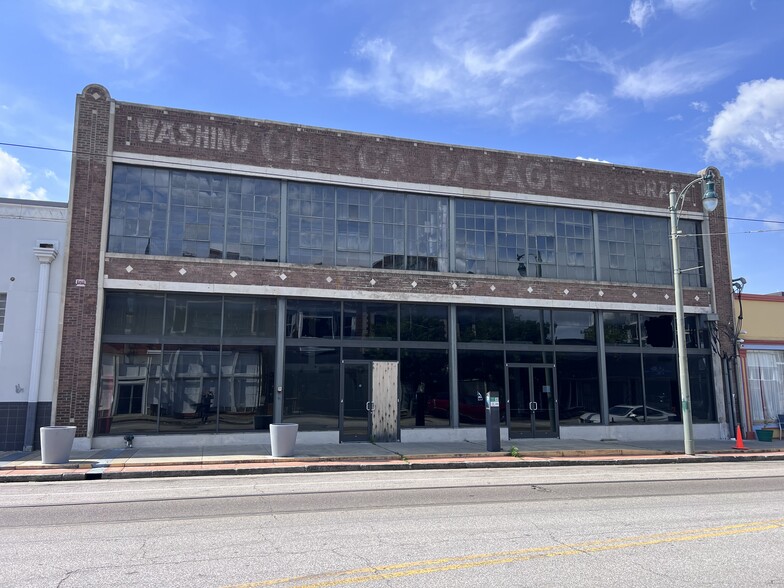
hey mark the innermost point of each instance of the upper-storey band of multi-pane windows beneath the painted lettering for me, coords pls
(195, 214)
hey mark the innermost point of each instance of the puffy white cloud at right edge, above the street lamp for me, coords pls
(750, 130)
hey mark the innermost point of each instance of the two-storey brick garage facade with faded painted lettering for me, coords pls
(114, 264)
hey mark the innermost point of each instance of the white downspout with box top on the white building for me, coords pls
(46, 253)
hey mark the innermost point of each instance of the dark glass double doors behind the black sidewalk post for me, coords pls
(532, 401)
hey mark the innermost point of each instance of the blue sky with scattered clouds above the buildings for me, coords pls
(667, 84)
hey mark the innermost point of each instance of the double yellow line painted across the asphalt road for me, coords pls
(392, 571)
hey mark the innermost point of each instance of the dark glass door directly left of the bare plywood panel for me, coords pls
(355, 402)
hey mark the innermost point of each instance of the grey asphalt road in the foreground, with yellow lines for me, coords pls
(716, 524)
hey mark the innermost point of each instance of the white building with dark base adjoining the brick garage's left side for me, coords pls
(32, 234)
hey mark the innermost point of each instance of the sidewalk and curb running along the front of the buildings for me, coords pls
(257, 459)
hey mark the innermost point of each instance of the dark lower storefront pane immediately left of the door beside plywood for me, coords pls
(311, 392)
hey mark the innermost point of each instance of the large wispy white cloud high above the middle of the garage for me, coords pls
(457, 69)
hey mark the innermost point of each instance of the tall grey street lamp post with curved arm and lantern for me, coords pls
(709, 202)
